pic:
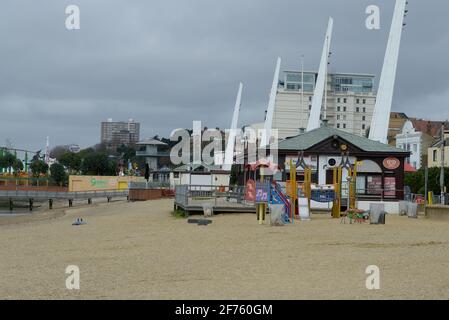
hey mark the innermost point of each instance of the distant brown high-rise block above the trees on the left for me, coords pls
(115, 134)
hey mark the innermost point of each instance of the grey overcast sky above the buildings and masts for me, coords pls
(166, 63)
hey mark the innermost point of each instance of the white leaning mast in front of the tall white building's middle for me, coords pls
(317, 101)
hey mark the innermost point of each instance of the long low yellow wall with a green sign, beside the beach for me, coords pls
(92, 183)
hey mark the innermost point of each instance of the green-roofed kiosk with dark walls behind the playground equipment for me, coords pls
(380, 167)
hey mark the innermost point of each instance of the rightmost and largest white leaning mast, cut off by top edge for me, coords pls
(381, 115)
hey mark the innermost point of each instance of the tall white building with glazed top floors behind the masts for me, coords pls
(350, 101)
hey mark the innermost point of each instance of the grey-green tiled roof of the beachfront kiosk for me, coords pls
(309, 139)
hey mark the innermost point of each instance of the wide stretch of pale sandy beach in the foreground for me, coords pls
(139, 251)
